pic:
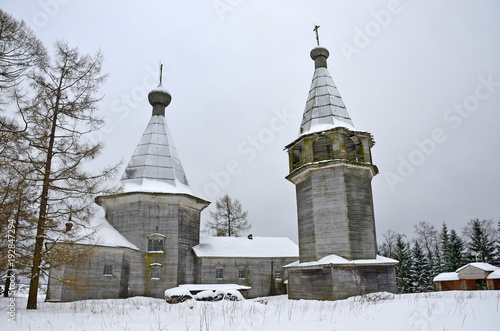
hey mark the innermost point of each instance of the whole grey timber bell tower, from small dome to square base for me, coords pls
(331, 166)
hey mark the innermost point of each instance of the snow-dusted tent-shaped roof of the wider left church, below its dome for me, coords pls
(155, 165)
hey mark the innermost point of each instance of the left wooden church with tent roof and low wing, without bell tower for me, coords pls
(156, 218)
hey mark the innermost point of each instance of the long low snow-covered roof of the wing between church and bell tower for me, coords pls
(244, 247)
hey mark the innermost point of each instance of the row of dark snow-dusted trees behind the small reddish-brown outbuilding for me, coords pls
(432, 251)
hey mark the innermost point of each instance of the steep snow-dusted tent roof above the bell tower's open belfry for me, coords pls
(324, 107)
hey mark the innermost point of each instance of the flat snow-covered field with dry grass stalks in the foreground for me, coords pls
(475, 310)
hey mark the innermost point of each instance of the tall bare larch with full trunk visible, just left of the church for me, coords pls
(60, 115)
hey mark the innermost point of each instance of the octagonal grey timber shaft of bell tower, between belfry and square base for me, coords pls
(335, 211)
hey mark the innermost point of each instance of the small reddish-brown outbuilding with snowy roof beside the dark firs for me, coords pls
(472, 276)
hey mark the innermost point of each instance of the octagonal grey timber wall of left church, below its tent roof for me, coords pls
(176, 217)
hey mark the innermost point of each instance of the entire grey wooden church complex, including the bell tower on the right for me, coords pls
(149, 239)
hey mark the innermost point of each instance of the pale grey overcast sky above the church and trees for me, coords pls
(422, 76)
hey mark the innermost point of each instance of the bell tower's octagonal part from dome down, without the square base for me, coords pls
(331, 166)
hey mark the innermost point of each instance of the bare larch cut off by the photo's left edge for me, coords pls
(20, 53)
